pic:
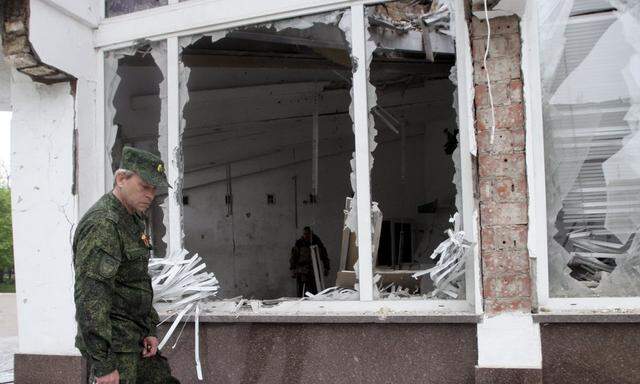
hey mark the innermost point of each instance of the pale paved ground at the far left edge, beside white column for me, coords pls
(8, 336)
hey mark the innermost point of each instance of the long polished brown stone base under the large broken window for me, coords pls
(328, 353)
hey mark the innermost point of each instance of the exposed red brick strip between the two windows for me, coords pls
(502, 168)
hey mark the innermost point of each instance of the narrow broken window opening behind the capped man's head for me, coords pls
(135, 115)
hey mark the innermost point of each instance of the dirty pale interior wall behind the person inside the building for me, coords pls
(249, 251)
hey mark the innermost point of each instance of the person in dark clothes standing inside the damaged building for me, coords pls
(301, 263)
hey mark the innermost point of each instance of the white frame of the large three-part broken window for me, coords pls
(198, 16)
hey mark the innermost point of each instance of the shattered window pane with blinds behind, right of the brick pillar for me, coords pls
(591, 111)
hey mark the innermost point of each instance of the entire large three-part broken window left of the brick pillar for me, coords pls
(263, 161)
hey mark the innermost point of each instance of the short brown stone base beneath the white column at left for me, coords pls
(49, 369)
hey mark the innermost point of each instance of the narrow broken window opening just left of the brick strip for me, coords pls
(414, 137)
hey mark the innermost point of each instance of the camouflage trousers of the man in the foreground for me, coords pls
(134, 369)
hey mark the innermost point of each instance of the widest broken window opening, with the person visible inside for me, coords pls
(266, 146)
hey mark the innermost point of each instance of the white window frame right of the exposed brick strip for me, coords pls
(537, 240)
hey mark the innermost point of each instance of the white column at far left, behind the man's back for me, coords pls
(44, 215)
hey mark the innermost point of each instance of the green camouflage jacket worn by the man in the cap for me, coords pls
(112, 292)
